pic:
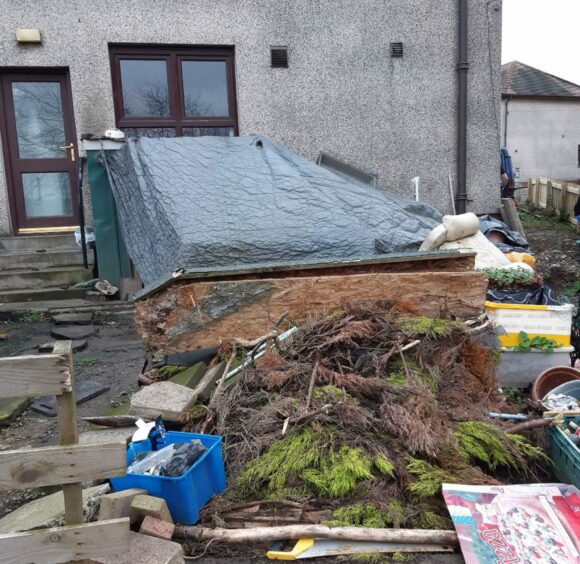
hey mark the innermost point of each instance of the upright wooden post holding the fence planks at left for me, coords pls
(68, 435)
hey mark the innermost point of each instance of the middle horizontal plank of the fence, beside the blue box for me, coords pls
(50, 466)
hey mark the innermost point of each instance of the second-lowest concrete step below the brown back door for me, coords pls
(47, 278)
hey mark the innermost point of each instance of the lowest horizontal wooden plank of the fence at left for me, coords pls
(64, 544)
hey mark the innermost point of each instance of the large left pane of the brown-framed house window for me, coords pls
(144, 86)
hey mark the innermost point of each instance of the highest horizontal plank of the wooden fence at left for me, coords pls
(34, 375)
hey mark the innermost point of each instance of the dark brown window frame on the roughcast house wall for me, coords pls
(173, 55)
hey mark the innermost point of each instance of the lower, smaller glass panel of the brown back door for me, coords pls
(47, 194)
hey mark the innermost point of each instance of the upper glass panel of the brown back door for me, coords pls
(39, 120)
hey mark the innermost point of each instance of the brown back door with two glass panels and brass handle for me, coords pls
(40, 150)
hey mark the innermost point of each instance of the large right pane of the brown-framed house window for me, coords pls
(205, 88)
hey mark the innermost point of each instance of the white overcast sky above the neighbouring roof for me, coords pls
(544, 34)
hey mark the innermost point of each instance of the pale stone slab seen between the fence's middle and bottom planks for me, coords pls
(49, 511)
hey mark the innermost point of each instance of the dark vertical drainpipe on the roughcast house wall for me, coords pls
(462, 68)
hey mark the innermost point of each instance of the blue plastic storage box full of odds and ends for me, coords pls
(187, 494)
